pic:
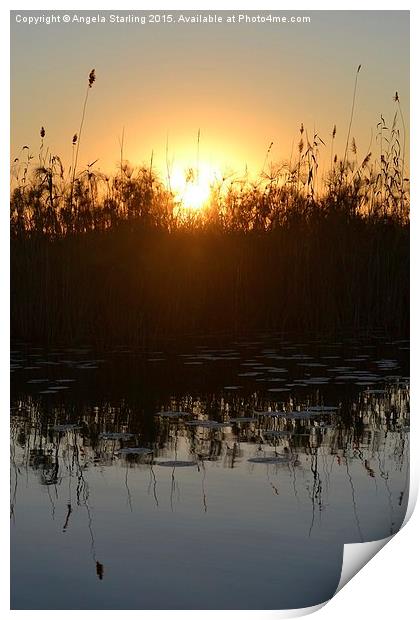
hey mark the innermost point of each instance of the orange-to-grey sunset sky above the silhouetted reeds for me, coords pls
(242, 85)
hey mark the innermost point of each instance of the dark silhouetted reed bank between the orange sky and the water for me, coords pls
(102, 259)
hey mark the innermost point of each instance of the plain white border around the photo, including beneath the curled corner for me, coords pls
(387, 586)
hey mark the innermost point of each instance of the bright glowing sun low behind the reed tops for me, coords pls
(192, 185)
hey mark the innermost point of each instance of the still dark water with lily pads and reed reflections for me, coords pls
(216, 477)
